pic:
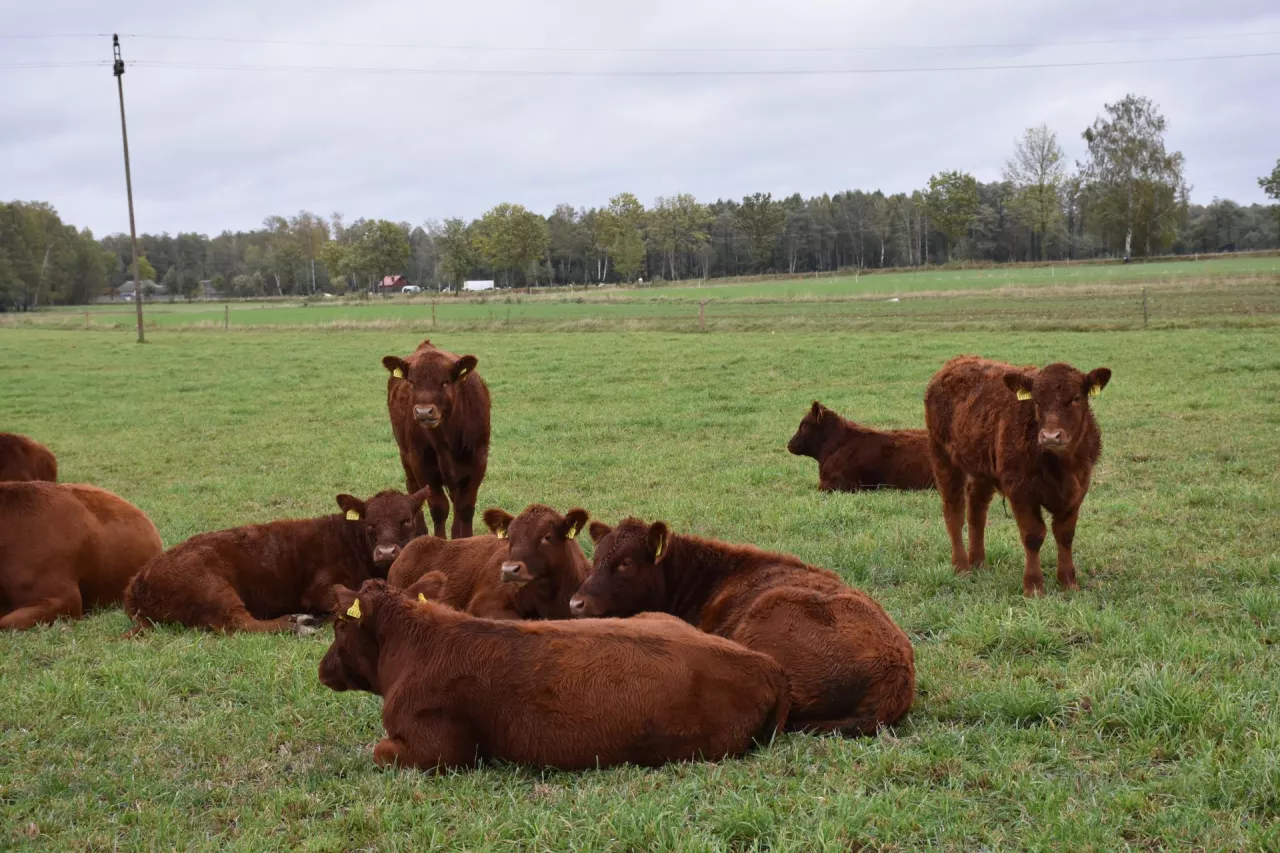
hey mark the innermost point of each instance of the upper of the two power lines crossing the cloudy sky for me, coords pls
(762, 49)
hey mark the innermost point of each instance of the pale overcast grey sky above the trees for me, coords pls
(257, 108)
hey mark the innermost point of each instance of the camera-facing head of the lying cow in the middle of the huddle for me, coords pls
(541, 541)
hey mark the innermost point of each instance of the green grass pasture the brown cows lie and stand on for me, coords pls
(1140, 714)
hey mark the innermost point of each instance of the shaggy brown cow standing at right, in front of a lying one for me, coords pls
(1022, 432)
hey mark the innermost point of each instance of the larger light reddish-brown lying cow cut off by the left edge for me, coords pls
(67, 549)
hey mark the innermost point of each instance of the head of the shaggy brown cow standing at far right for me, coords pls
(1059, 396)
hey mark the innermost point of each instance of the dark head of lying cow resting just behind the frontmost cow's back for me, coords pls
(628, 576)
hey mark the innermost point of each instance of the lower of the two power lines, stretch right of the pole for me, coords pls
(679, 72)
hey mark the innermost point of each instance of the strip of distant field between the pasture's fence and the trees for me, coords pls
(1214, 294)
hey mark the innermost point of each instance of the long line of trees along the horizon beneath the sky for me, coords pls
(1127, 199)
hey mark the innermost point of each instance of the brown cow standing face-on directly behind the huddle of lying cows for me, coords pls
(440, 410)
